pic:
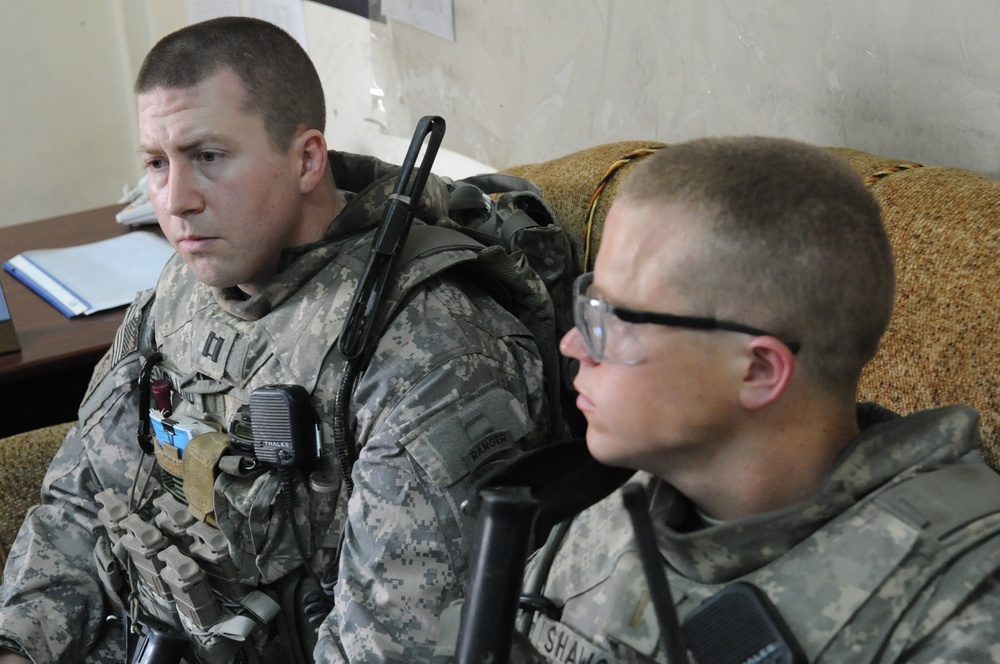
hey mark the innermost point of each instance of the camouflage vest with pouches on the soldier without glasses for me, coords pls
(213, 551)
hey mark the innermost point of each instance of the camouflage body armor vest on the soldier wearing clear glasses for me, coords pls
(935, 535)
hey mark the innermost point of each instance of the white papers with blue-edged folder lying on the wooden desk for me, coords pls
(93, 277)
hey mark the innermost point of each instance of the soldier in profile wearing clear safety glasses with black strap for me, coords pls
(740, 287)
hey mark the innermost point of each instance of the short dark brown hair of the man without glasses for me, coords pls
(279, 79)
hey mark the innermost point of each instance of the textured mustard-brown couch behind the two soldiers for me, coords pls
(943, 344)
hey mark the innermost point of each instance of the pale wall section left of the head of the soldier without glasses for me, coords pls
(67, 119)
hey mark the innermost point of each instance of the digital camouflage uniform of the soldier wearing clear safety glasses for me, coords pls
(872, 568)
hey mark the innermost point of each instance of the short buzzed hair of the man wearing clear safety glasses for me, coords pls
(793, 243)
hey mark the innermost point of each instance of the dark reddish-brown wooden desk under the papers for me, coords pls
(44, 383)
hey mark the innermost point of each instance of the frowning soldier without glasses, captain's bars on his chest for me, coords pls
(209, 538)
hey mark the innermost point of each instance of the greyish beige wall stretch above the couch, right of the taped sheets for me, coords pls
(528, 79)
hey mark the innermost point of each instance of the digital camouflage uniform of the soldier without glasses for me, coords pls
(455, 382)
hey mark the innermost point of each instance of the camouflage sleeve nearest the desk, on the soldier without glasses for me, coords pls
(51, 600)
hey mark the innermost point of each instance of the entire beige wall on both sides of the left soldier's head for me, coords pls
(528, 80)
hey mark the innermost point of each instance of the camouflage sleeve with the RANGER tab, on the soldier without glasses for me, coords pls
(455, 384)
